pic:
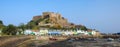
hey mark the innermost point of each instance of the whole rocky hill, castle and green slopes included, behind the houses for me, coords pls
(53, 20)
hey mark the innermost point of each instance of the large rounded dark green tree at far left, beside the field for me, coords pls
(10, 30)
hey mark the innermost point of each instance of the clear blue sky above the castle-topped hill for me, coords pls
(103, 15)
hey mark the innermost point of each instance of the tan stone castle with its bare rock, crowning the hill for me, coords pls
(52, 19)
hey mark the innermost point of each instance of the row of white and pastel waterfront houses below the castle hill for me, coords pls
(61, 32)
